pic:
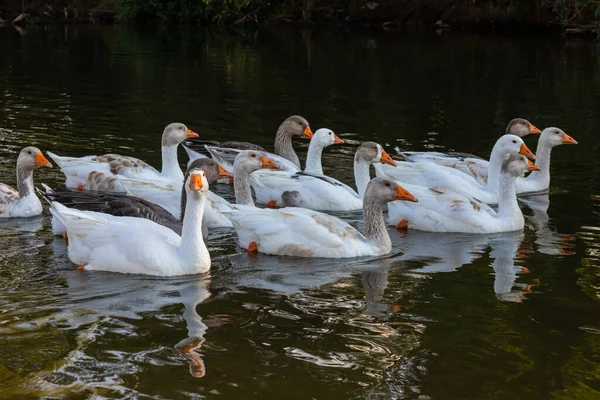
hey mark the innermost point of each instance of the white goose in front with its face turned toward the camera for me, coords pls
(137, 245)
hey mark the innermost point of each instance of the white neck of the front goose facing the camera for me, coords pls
(192, 249)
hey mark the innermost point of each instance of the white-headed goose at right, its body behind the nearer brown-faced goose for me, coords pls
(433, 175)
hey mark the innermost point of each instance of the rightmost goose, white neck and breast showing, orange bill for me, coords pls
(540, 180)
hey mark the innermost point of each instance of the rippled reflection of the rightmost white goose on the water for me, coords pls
(548, 241)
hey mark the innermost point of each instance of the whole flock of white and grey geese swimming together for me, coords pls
(120, 214)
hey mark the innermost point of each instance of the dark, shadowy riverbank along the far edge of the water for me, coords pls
(548, 17)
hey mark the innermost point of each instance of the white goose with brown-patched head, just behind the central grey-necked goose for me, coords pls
(317, 191)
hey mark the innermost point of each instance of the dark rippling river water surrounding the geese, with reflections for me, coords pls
(443, 317)
